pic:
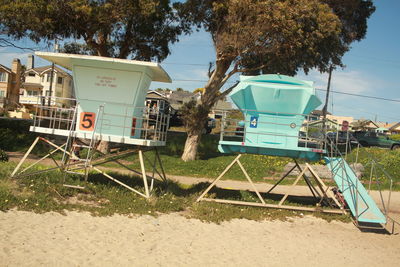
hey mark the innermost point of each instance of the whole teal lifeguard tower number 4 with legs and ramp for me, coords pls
(277, 122)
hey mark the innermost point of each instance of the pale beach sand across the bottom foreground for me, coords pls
(79, 239)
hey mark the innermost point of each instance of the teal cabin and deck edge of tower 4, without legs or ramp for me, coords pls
(275, 108)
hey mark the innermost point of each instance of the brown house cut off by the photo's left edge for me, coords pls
(10, 81)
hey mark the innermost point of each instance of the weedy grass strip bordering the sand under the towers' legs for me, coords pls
(102, 197)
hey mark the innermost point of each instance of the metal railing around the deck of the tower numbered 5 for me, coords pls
(152, 124)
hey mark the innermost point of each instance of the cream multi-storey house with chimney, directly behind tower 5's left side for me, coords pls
(38, 83)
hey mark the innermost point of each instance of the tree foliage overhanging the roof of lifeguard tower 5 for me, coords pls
(140, 29)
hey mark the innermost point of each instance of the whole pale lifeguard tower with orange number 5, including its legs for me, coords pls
(109, 106)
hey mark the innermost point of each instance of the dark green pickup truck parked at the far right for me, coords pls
(376, 139)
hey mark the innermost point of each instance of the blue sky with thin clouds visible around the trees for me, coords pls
(372, 67)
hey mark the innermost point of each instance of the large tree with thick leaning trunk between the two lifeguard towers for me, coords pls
(274, 36)
